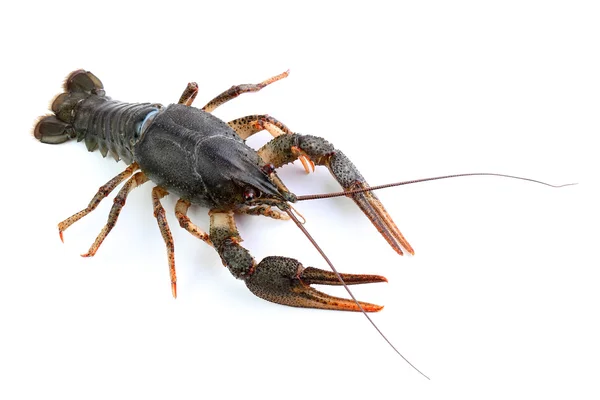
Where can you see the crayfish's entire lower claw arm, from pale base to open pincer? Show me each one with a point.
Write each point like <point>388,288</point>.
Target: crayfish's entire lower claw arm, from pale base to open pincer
<point>281,280</point>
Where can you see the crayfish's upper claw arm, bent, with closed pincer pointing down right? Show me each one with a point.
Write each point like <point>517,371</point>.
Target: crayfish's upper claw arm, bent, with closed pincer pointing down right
<point>287,148</point>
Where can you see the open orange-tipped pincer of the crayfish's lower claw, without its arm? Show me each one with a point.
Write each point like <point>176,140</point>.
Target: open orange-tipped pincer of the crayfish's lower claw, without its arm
<point>285,281</point>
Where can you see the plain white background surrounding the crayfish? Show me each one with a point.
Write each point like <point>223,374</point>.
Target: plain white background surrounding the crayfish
<point>500,300</point>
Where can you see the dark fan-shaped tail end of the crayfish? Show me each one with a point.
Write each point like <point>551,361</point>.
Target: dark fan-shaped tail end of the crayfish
<point>57,128</point>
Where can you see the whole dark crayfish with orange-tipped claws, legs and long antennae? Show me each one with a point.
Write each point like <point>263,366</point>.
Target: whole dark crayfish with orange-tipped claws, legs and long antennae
<point>191,153</point>
